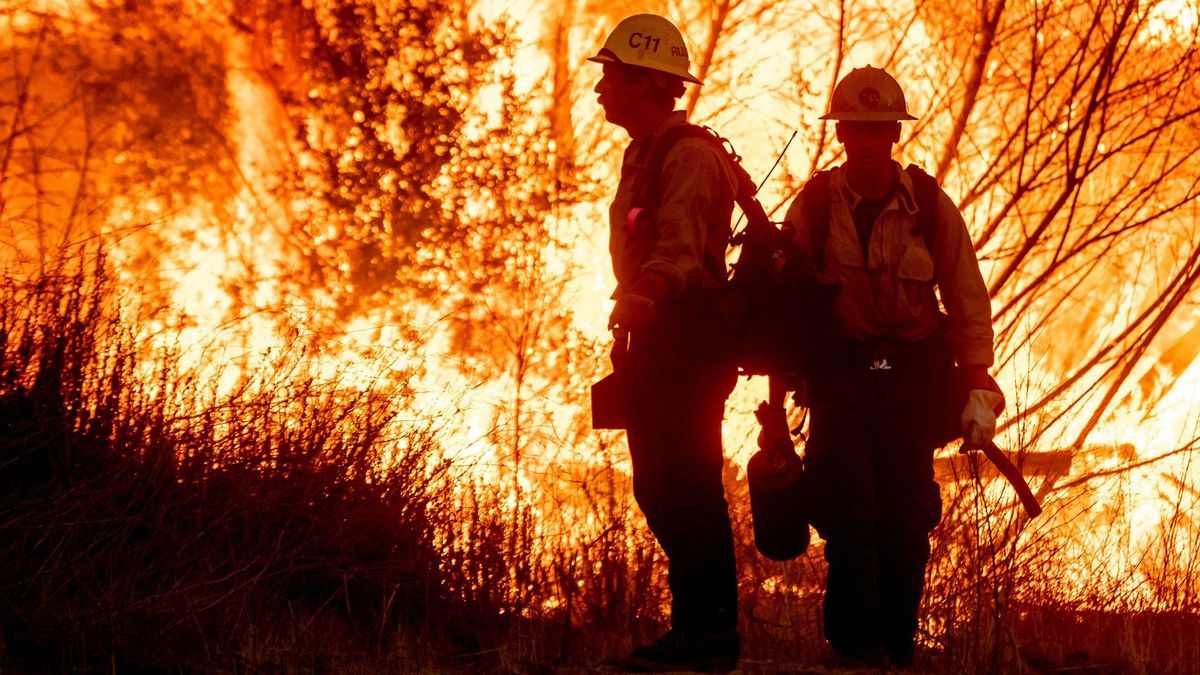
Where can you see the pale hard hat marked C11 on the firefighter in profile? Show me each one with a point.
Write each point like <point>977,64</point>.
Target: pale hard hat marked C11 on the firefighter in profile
<point>647,41</point>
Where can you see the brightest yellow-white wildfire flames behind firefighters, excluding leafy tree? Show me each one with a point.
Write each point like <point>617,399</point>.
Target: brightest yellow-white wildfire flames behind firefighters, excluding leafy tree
<point>763,91</point>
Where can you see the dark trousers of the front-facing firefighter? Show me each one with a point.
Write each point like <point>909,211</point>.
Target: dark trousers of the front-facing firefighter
<point>875,414</point>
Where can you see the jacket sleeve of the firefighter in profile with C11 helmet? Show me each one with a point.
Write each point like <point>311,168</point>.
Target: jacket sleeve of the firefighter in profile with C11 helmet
<point>694,178</point>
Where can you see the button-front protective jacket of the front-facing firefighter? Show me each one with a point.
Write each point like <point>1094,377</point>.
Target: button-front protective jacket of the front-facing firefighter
<point>891,294</point>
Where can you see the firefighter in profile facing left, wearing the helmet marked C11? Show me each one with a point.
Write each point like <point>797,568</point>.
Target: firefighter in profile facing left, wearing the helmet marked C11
<point>668,255</point>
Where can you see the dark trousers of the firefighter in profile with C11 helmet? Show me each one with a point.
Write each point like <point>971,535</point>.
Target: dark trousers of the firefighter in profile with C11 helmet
<point>675,443</point>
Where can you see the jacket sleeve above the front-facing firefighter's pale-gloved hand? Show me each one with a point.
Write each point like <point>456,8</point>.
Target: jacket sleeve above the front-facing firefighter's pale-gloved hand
<point>962,286</point>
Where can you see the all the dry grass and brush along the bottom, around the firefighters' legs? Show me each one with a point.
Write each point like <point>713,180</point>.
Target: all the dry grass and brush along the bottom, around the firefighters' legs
<point>151,524</point>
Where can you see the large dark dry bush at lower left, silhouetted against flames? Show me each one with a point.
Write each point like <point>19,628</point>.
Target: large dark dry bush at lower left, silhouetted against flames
<point>147,523</point>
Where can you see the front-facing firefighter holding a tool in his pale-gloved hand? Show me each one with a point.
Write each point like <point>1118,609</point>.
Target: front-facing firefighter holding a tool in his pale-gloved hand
<point>879,397</point>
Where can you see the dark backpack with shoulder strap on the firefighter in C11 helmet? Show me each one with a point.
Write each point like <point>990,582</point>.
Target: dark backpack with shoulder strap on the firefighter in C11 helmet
<point>760,304</point>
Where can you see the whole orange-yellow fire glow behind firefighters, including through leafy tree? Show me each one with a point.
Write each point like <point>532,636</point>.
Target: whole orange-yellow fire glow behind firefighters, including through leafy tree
<point>218,282</point>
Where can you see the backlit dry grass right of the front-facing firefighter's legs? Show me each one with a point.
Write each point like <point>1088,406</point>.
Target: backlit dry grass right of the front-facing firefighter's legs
<point>1009,595</point>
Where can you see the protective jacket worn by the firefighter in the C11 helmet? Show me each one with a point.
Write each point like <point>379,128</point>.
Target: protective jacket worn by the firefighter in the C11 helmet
<point>685,244</point>
